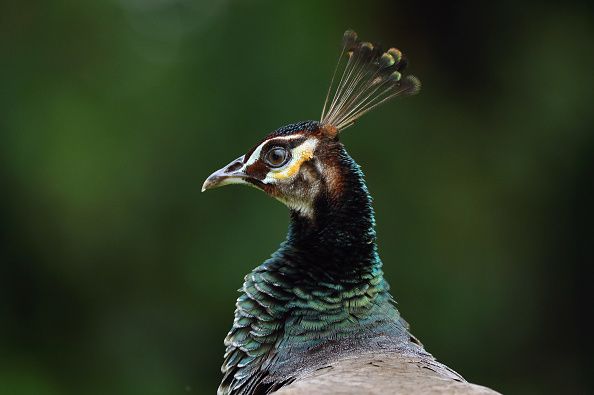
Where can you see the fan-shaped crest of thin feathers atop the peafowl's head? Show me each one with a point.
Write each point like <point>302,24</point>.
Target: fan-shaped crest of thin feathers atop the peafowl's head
<point>369,77</point>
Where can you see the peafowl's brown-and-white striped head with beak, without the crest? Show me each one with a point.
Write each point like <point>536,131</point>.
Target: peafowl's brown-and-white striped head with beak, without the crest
<point>294,164</point>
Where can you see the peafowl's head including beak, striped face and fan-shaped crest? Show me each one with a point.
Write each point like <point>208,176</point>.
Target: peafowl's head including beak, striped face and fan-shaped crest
<point>299,163</point>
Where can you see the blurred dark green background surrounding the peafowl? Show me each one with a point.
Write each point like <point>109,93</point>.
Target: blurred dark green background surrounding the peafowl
<point>118,276</point>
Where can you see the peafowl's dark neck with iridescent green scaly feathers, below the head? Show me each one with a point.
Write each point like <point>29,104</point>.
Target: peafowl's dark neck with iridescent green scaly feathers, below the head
<point>321,294</point>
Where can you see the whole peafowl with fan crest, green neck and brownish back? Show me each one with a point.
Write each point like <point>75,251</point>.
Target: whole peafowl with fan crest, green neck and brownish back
<point>318,316</point>
